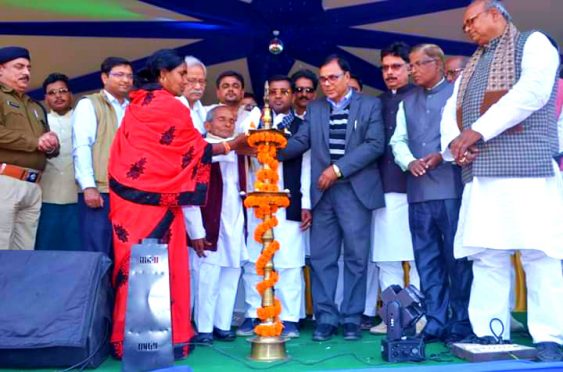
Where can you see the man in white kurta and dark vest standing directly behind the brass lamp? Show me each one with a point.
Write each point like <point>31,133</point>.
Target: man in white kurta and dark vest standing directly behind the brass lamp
<point>291,234</point>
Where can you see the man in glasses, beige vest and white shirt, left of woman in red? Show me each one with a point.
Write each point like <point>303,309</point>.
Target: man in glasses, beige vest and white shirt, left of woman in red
<point>94,123</point>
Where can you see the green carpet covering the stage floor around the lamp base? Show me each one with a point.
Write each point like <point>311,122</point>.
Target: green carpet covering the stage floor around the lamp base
<point>306,354</point>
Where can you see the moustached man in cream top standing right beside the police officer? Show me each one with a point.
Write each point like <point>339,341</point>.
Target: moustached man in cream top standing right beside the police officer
<point>58,224</point>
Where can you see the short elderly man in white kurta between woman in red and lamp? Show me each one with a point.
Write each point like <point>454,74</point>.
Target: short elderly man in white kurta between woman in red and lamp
<point>218,272</point>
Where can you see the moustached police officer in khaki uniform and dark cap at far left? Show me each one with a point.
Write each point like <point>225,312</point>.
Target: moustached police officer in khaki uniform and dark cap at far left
<point>25,143</point>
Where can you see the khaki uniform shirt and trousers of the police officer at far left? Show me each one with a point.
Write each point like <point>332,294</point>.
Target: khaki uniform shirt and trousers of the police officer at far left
<point>22,122</point>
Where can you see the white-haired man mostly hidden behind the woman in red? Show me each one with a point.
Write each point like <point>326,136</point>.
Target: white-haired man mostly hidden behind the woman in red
<point>195,88</point>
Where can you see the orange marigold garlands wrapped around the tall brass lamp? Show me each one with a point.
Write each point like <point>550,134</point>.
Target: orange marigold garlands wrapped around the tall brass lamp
<point>265,205</point>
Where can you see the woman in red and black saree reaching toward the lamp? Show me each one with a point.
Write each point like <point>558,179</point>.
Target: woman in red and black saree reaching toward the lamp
<point>158,163</point>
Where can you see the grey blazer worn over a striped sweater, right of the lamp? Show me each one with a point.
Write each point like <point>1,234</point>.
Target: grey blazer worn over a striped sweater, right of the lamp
<point>365,142</point>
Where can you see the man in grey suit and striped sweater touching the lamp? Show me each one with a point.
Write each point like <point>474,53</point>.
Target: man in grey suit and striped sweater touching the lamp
<point>345,134</point>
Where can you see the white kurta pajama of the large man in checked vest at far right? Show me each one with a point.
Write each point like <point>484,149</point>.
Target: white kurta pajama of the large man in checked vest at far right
<point>500,215</point>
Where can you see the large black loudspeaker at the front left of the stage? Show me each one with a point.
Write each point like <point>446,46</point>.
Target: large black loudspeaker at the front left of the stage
<point>55,309</point>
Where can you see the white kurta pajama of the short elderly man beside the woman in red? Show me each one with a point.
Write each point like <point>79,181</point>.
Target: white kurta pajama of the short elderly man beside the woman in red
<point>216,276</point>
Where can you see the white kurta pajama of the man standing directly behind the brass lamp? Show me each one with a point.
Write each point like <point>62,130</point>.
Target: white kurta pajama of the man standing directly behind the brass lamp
<point>290,259</point>
